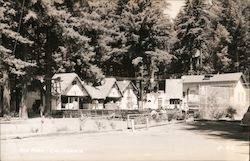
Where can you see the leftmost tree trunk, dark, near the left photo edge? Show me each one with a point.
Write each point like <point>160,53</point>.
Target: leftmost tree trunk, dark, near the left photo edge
<point>6,93</point>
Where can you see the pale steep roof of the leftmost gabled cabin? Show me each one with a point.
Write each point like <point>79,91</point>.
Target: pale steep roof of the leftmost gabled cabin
<point>66,79</point>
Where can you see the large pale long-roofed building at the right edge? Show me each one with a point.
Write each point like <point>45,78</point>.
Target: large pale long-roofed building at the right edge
<point>227,89</point>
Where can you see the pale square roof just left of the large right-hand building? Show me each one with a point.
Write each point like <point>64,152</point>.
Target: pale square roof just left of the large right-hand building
<point>174,88</point>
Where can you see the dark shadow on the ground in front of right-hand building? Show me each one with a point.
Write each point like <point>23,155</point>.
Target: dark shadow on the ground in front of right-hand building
<point>222,129</point>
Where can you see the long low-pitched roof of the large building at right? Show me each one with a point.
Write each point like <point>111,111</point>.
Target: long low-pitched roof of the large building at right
<point>228,77</point>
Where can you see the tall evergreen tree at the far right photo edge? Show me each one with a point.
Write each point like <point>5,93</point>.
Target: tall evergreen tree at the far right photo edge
<point>235,18</point>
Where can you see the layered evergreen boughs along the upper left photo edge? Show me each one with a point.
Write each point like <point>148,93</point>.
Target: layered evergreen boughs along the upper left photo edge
<point>8,25</point>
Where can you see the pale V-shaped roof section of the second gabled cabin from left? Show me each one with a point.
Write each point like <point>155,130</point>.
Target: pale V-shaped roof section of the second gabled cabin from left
<point>102,91</point>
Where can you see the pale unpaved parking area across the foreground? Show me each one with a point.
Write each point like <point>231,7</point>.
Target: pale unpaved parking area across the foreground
<point>170,142</point>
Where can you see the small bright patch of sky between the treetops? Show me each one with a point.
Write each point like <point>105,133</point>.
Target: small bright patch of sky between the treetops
<point>174,8</point>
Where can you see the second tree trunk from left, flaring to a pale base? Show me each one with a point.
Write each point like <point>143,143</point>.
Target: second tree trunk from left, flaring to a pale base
<point>23,113</point>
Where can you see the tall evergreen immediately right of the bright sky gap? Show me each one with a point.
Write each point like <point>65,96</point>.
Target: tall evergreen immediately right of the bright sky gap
<point>194,28</point>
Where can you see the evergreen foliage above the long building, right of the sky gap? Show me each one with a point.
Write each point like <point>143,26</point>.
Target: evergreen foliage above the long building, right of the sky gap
<point>212,39</point>
